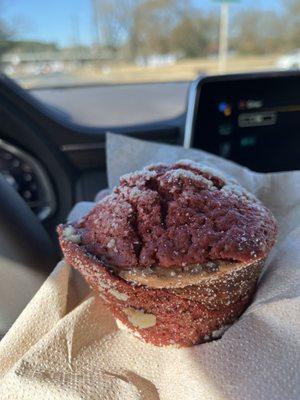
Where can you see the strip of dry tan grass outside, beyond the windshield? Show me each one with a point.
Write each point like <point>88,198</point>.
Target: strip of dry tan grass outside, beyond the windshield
<point>118,73</point>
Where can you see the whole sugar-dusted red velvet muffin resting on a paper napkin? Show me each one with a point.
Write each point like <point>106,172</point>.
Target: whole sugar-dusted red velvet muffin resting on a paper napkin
<point>175,251</point>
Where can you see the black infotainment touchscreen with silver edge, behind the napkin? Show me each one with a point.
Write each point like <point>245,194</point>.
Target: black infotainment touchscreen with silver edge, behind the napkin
<point>251,119</point>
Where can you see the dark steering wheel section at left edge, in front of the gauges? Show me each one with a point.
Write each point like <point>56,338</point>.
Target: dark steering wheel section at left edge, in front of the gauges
<point>27,254</point>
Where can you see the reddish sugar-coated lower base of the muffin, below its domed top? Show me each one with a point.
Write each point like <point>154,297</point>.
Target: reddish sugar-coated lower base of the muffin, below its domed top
<point>166,316</point>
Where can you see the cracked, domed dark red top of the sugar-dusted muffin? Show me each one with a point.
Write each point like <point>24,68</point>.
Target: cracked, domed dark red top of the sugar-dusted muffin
<point>177,215</point>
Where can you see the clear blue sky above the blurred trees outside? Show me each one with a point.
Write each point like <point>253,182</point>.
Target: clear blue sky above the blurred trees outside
<point>56,20</point>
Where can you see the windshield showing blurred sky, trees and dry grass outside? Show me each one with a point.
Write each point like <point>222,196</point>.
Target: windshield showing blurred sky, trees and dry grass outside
<point>78,42</point>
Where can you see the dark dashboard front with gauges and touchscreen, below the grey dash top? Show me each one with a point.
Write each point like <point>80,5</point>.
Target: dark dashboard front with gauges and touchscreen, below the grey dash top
<point>54,163</point>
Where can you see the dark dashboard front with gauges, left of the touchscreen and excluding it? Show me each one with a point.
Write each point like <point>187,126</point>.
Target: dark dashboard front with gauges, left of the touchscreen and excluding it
<point>54,163</point>
